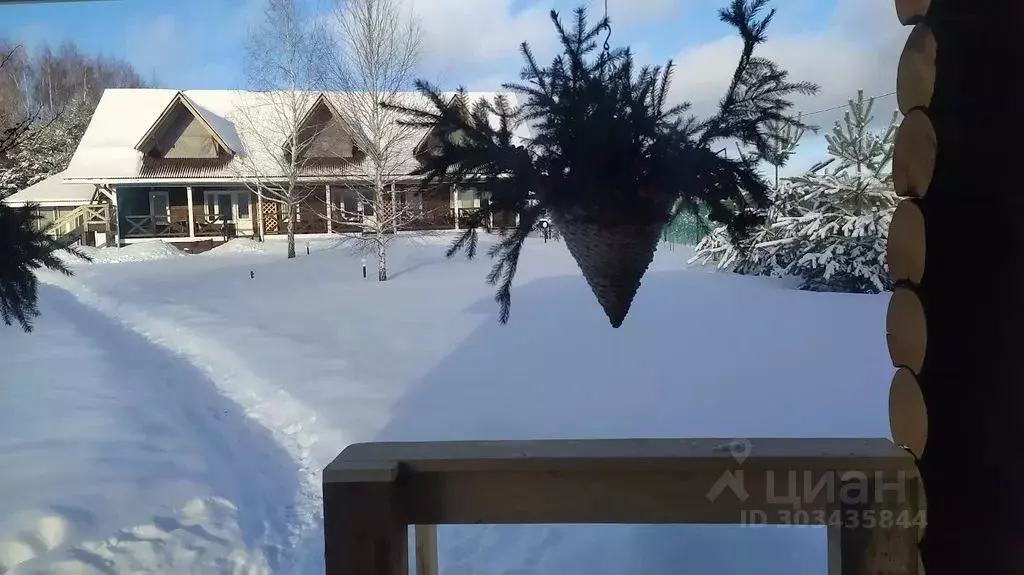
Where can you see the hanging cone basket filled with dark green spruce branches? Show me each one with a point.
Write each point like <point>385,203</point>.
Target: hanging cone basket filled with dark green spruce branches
<point>611,159</point>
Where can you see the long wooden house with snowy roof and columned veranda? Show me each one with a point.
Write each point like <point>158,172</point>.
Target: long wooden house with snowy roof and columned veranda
<point>184,166</point>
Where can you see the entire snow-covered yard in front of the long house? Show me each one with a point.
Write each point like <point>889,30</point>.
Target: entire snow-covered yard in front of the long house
<point>172,414</point>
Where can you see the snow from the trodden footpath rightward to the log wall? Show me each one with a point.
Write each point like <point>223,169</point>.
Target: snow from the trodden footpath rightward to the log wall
<point>322,359</point>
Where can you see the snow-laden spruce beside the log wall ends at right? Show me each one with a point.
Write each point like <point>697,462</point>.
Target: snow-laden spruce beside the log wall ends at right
<point>829,227</point>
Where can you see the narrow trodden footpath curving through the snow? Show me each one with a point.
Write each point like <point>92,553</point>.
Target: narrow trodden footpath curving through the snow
<point>289,422</point>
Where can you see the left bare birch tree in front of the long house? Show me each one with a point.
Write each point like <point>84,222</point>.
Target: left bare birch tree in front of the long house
<point>284,66</point>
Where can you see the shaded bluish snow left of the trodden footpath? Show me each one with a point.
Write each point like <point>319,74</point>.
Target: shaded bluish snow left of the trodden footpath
<point>126,460</point>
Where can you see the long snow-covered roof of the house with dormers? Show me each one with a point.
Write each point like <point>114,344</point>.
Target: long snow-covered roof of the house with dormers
<point>124,118</point>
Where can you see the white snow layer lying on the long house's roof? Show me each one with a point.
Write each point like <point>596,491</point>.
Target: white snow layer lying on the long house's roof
<point>251,123</point>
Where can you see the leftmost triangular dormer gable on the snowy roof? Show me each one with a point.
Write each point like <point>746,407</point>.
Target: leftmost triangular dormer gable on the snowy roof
<point>182,134</point>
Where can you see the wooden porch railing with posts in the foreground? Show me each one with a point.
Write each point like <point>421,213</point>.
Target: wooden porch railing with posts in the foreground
<point>867,492</point>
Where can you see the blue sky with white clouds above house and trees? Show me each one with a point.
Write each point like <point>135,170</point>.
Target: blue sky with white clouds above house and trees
<point>841,45</point>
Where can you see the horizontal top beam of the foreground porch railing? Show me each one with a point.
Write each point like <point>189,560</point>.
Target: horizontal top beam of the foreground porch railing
<point>617,481</point>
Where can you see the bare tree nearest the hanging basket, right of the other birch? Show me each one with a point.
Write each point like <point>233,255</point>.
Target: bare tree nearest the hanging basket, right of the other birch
<point>377,52</point>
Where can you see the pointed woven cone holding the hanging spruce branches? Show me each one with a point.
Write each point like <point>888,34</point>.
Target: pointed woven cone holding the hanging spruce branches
<point>613,259</point>
